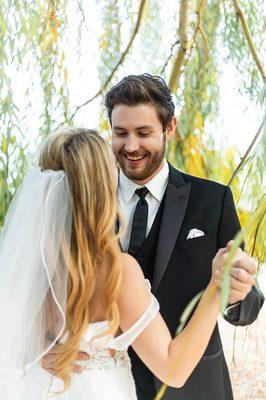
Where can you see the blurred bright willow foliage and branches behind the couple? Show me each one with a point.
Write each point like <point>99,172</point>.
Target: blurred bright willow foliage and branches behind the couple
<point>58,58</point>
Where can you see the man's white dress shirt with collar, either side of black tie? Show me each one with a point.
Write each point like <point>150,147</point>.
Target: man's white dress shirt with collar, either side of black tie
<point>128,200</point>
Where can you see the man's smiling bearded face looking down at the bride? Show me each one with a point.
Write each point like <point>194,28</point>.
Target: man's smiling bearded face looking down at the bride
<point>138,141</point>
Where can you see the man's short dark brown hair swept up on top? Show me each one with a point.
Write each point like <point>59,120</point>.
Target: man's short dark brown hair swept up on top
<point>137,89</point>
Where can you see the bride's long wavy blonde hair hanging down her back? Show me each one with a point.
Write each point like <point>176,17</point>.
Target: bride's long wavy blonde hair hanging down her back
<point>95,254</point>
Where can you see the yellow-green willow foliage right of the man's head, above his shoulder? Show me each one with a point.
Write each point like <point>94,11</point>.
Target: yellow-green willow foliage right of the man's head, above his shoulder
<point>192,149</point>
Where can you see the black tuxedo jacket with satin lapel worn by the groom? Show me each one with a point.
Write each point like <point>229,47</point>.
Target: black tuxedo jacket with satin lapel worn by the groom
<point>182,268</point>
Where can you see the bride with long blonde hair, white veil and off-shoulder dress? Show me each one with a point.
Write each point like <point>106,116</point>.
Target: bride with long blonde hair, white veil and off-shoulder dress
<point>63,279</point>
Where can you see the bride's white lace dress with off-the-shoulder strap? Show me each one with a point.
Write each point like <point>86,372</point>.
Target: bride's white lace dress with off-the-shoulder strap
<point>105,377</point>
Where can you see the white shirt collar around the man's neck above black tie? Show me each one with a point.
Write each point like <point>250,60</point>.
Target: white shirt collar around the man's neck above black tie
<point>156,185</point>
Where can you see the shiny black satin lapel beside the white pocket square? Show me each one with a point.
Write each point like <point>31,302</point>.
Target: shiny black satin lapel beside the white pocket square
<point>176,199</point>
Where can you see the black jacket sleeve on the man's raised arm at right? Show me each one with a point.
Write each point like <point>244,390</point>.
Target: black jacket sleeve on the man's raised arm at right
<point>246,311</point>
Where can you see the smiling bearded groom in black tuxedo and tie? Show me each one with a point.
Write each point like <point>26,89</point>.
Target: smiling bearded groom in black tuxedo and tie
<point>174,226</point>
